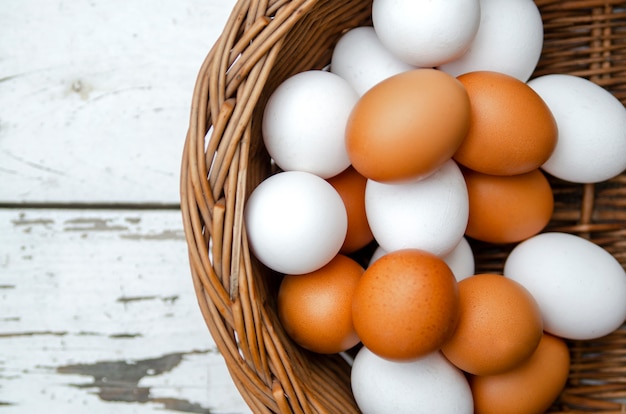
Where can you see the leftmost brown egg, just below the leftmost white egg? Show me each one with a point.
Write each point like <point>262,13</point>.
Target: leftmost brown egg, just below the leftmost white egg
<point>316,308</point>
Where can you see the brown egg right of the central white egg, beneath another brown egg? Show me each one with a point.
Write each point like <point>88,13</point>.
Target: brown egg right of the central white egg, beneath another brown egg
<point>507,209</point>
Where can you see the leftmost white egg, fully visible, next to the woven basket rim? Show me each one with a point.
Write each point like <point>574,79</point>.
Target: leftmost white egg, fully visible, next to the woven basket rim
<point>296,222</point>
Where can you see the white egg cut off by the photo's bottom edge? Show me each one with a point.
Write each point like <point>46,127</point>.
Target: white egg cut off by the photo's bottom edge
<point>427,385</point>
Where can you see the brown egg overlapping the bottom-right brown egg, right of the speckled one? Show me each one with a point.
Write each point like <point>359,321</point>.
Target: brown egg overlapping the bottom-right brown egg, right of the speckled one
<point>499,325</point>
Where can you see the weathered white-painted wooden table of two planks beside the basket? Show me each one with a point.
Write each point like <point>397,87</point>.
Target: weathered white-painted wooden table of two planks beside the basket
<point>97,310</point>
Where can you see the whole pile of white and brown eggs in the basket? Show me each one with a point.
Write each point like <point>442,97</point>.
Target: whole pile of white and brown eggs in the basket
<point>426,131</point>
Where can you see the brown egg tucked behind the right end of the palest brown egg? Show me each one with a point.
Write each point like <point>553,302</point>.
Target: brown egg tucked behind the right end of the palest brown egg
<point>512,130</point>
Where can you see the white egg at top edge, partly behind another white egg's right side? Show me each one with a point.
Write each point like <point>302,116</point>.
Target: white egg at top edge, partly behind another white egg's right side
<point>509,40</point>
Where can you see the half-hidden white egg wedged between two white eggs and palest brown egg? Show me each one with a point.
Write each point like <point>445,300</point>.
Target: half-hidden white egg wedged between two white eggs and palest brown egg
<point>361,59</point>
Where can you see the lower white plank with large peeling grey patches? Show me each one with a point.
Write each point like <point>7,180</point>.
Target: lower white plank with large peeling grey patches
<point>98,315</point>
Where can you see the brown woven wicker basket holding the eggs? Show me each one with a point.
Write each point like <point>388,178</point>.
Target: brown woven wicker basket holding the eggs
<point>262,44</point>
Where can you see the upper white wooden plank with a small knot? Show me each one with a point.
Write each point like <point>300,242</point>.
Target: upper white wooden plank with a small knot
<point>95,96</point>
